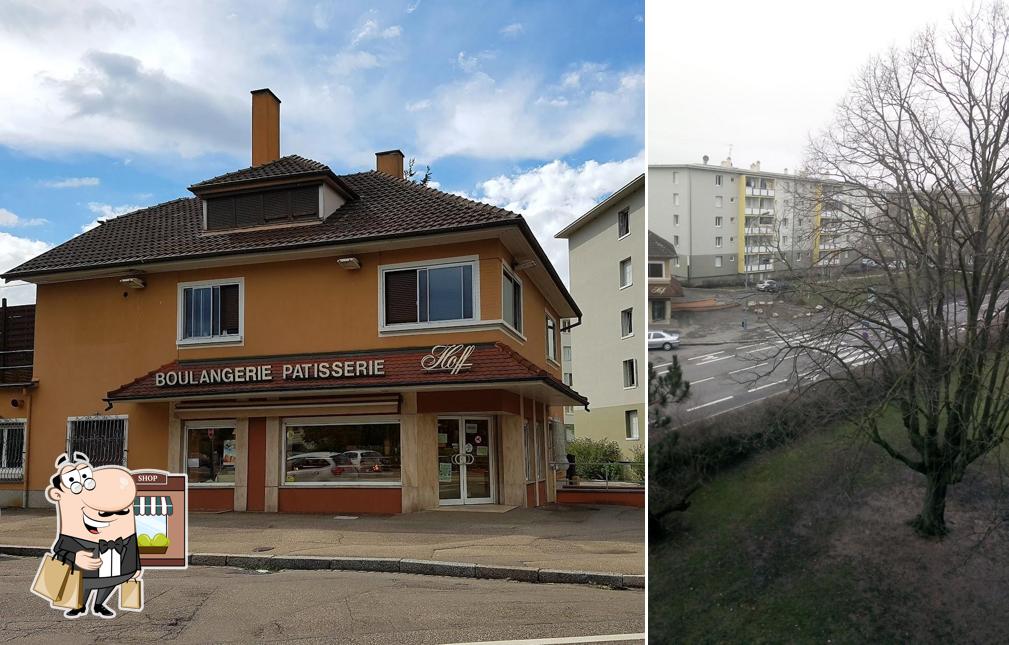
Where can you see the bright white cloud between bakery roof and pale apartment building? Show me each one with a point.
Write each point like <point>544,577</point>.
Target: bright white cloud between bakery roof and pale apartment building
<point>555,194</point>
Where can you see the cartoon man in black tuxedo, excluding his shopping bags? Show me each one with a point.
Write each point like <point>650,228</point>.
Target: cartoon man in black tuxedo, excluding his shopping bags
<point>97,529</point>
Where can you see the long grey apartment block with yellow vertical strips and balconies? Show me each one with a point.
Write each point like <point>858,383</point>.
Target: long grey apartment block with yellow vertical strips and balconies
<point>732,226</point>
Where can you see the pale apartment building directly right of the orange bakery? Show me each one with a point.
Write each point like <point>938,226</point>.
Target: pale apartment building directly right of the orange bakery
<point>608,265</point>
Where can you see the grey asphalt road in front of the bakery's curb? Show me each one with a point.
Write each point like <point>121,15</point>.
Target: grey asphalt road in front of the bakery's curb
<point>203,605</point>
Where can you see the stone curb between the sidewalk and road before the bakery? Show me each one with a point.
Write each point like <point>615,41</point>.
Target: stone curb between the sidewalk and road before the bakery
<point>392,566</point>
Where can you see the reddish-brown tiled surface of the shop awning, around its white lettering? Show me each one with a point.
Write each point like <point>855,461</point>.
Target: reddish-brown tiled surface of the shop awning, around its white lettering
<point>492,363</point>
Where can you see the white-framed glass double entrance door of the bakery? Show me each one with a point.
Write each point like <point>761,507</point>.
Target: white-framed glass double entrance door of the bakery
<point>466,462</point>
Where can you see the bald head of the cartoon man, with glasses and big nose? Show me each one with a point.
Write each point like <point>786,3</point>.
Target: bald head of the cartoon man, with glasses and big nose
<point>92,503</point>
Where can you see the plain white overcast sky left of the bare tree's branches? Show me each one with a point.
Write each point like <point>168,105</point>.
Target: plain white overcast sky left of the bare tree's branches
<point>761,77</point>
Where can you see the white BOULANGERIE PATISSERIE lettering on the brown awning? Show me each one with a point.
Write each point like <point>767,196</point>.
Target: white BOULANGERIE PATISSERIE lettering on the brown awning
<point>266,374</point>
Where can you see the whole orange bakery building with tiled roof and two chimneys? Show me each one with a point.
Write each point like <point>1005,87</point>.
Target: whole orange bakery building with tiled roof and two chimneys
<point>301,342</point>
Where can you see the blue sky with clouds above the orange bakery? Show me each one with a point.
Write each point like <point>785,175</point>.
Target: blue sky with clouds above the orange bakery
<point>536,106</point>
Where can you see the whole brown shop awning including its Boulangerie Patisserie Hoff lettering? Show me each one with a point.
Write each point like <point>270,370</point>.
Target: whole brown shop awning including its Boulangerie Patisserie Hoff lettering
<point>453,367</point>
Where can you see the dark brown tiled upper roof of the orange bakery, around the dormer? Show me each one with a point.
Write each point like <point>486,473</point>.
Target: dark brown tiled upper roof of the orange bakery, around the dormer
<point>383,207</point>
